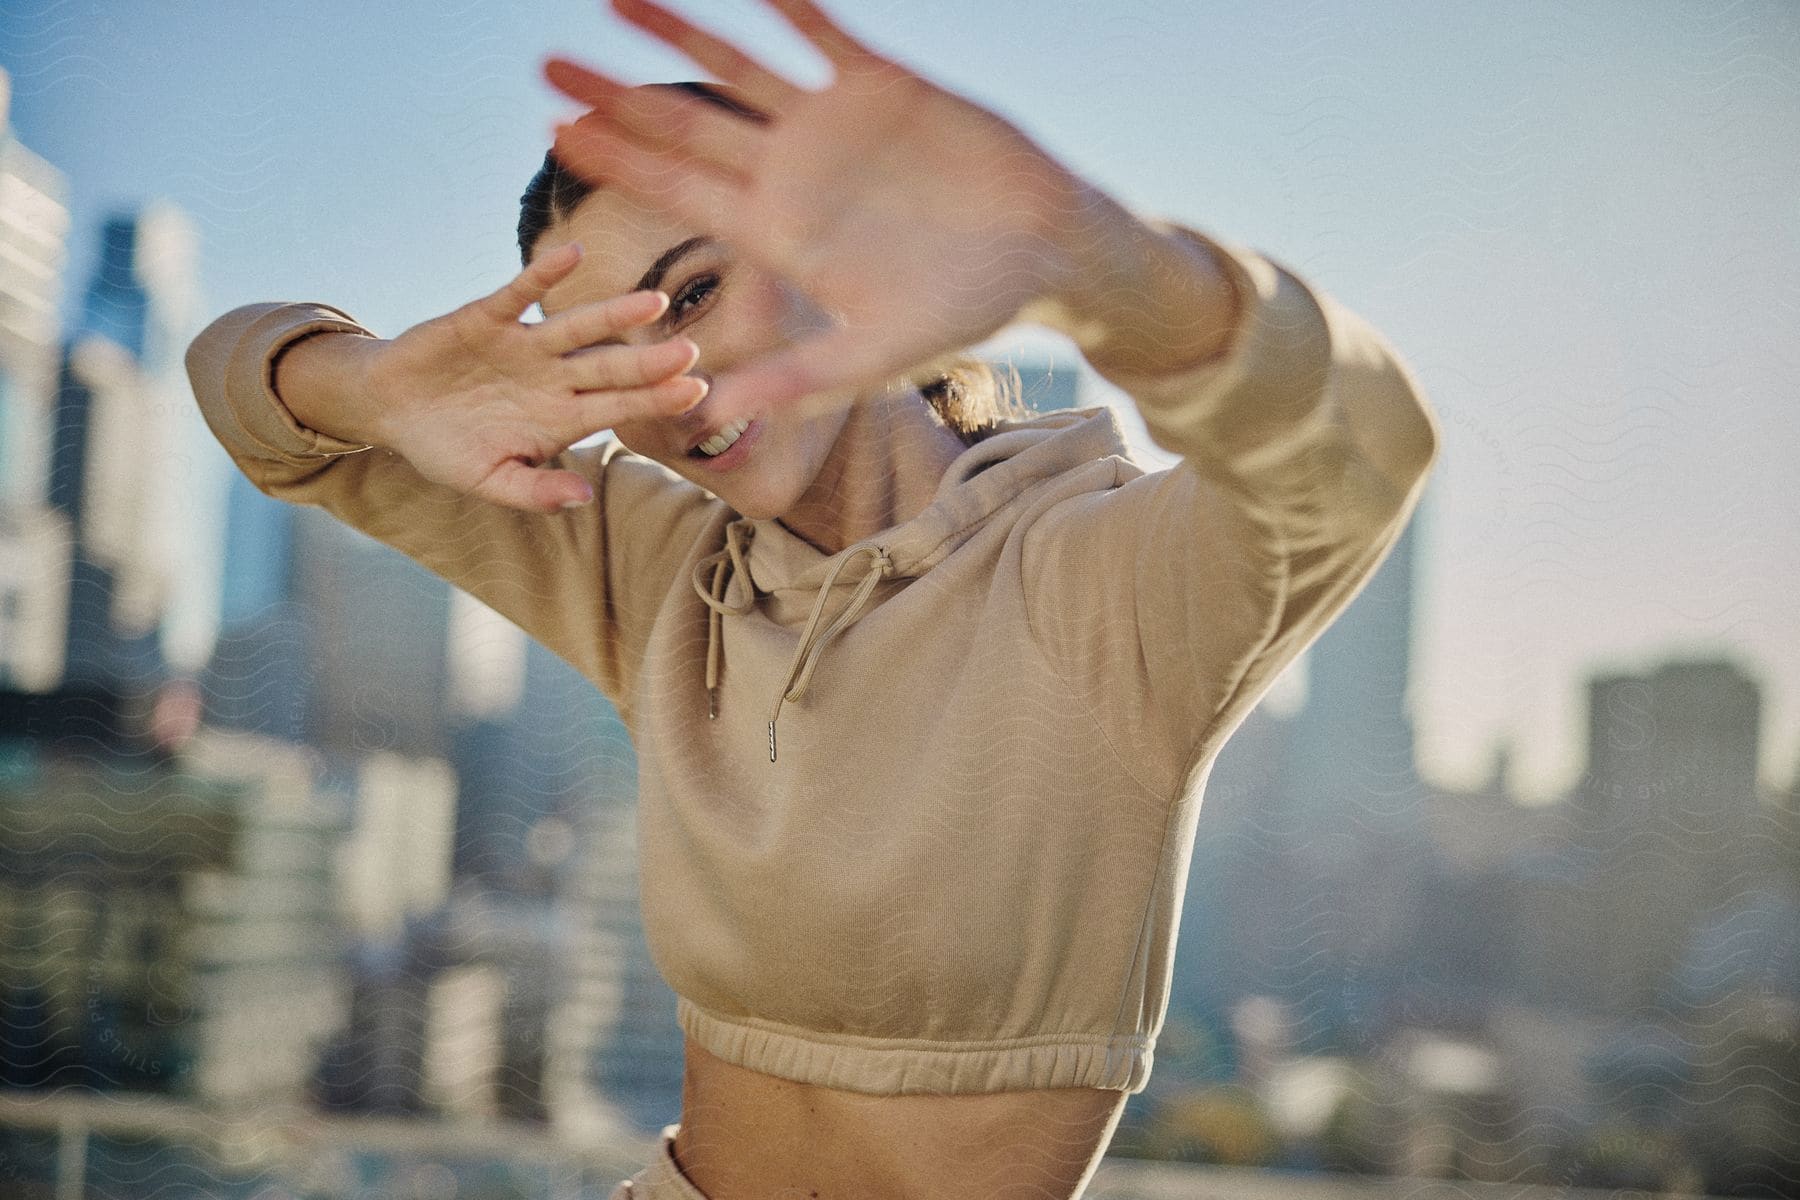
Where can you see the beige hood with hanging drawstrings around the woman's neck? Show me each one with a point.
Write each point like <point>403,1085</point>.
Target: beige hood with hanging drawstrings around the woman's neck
<point>764,557</point>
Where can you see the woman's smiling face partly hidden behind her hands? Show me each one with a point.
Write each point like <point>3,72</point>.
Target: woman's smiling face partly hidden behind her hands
<point>733,312</point>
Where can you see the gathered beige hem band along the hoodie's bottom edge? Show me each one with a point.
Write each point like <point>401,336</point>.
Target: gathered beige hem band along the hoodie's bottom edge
<point>899,1066</point>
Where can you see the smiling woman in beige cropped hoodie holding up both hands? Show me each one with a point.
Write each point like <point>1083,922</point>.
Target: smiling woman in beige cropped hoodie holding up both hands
<point>924,695</point>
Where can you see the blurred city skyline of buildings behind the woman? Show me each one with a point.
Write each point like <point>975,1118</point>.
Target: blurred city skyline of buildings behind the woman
<point>370,855</point>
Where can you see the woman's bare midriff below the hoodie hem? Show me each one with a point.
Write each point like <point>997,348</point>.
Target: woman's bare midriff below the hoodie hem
<point>748,1136</point>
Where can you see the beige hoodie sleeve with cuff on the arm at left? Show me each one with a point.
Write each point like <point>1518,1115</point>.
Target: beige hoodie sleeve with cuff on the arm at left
<point>586,582</point>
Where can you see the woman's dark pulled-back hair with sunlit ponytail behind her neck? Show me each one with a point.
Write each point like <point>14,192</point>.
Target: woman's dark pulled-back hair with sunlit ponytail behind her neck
<point>969,397</point>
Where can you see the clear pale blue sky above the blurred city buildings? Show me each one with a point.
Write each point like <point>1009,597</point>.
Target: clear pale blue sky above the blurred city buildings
<point>1579,222</point>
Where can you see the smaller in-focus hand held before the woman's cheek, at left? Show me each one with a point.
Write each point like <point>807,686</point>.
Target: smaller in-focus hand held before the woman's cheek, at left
<point>478,400</point>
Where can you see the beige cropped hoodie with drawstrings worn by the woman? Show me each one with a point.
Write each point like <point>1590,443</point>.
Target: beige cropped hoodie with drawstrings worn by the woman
<point>917,818</point>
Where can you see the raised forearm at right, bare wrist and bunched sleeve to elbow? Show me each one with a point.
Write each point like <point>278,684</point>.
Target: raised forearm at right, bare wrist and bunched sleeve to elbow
<point>1230,357</point>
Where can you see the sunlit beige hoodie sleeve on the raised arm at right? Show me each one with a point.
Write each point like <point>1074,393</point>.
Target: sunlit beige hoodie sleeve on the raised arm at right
<point>1174,600</point>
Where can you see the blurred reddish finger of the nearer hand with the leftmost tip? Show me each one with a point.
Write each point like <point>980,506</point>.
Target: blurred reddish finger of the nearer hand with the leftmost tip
<point>665,118</point>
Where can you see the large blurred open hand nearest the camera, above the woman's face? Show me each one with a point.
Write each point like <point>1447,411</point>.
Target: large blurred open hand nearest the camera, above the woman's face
<point>921,222</point>
